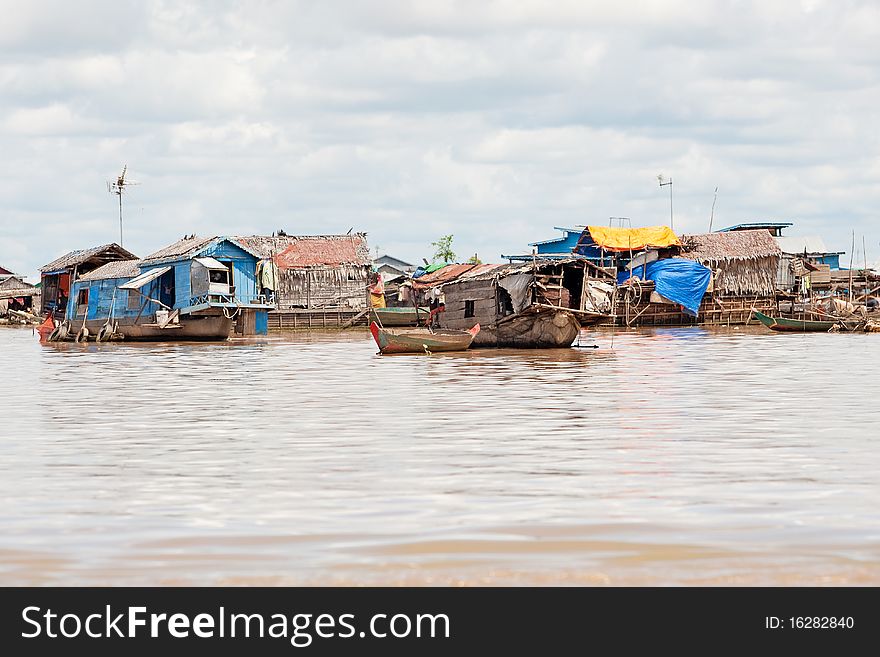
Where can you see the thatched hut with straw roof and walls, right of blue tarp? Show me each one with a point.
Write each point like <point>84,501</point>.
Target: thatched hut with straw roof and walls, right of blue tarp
<point>744,263</point>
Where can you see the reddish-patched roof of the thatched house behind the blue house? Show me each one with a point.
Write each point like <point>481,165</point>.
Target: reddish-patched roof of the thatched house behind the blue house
<point>297,251</point>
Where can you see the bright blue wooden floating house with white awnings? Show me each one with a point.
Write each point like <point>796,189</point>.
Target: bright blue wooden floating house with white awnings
<point>194,289</point>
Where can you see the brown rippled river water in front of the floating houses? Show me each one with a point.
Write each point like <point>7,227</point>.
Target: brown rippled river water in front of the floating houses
<point>665,457</point>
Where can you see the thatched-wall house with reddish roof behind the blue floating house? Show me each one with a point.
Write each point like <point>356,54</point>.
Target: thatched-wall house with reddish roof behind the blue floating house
<point>317,272</point>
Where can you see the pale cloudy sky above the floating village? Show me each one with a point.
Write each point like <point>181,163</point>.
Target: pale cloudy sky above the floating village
<point>492,121</point>
